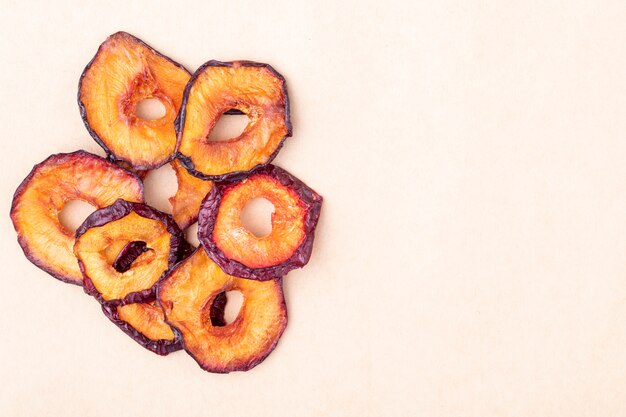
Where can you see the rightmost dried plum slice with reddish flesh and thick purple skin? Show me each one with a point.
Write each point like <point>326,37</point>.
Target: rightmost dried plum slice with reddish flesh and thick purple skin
<point>237,250</point>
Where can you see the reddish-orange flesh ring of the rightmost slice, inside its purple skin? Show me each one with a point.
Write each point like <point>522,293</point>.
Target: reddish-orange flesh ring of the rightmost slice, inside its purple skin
<point>238,243</point>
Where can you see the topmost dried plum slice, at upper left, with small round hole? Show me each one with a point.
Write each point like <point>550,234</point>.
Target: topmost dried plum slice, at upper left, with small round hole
<point>124,72</point>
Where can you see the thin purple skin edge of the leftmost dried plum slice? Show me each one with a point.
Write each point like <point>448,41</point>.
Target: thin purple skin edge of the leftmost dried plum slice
<point>43,264</point>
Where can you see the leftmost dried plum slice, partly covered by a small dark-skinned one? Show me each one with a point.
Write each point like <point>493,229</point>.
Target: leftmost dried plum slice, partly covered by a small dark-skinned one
<point>42,195</point>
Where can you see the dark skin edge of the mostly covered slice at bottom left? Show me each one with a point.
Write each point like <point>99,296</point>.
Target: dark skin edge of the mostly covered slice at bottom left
<point>160,347</point>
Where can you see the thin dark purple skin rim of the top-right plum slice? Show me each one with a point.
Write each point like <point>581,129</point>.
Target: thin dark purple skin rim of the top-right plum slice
<point>179,122</point>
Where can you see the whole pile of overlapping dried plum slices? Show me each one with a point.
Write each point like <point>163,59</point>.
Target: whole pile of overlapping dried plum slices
<point>134,259</point>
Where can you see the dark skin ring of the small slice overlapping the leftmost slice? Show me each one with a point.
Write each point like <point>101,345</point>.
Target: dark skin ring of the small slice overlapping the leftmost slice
<point>179,247</point>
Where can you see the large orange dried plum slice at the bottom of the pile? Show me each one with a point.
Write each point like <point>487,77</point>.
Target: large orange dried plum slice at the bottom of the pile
<point>188,293</point>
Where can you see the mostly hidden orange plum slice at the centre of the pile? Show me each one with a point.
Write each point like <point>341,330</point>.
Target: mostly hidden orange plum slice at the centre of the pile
<point>189,195</point>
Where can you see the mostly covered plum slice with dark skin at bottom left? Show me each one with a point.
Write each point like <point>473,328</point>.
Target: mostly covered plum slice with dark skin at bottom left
<point>144,321</point>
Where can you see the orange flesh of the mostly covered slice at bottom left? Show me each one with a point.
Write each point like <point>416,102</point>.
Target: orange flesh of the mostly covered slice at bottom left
<point>146,318</point>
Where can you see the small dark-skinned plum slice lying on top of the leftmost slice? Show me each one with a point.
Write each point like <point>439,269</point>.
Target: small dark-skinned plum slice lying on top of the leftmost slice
<point>125,248</point>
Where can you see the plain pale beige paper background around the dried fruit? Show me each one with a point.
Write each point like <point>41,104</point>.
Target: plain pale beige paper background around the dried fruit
<point>470,258</point>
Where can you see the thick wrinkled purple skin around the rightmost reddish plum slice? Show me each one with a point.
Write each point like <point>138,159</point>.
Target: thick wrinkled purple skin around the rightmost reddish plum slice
<point>208,214</point>
